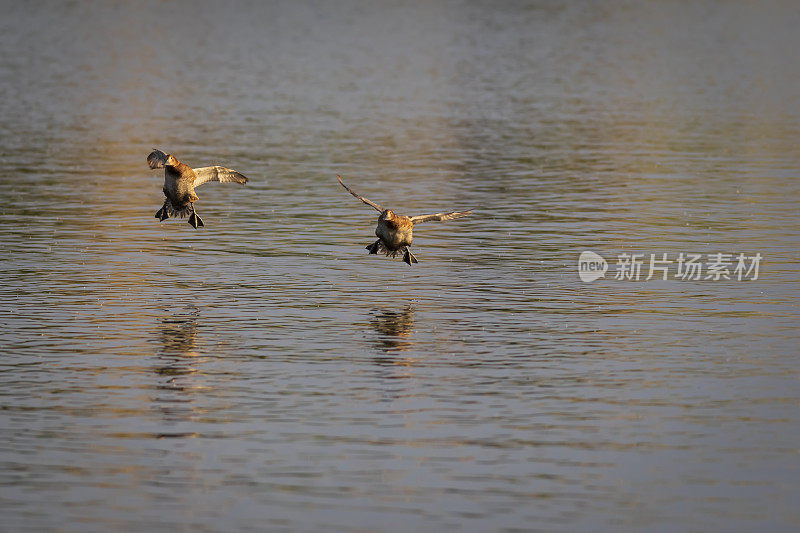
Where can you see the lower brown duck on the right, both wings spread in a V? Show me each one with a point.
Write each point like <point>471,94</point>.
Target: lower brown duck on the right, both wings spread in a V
<point>395,232</point>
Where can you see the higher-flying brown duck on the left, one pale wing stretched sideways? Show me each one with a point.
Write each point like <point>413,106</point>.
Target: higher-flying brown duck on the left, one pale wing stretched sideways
<point>180,180</point>
